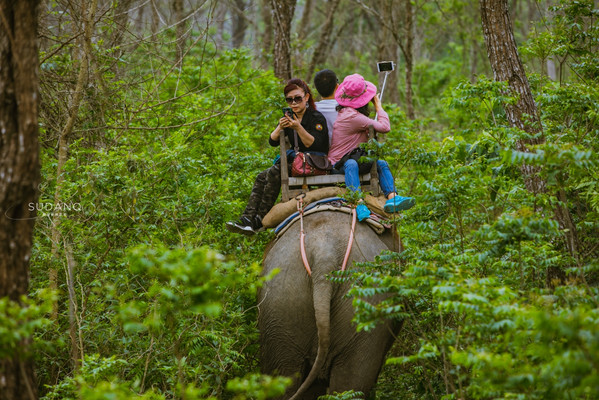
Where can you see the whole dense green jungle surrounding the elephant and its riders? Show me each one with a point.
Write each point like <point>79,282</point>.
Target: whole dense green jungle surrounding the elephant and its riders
<point>153,121</point>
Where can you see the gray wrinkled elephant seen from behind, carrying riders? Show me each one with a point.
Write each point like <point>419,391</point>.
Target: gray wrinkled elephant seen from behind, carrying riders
<point>306,320</point>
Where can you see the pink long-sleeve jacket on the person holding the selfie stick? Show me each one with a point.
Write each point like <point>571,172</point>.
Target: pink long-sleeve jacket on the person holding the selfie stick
<point>351,129</point>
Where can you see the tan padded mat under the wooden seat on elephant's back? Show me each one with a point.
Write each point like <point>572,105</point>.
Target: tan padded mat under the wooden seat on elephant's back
<point>280,212</point>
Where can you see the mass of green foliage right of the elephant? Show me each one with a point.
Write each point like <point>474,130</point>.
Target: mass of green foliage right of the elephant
<point>494,302</point>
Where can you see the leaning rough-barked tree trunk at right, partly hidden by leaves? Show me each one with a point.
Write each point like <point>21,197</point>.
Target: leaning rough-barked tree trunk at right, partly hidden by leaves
<point>507,67</point>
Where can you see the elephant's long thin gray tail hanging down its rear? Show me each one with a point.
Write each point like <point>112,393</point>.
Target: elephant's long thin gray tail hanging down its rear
<point>322,294</point>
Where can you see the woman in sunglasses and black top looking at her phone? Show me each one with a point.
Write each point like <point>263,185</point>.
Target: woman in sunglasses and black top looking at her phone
<point>312,135</point>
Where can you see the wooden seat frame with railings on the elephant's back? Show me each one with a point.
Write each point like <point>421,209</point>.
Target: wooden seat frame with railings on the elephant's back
<point>292,186</point>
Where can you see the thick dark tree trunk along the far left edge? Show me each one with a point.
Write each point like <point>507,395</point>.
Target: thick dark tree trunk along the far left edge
<point>19,173</point>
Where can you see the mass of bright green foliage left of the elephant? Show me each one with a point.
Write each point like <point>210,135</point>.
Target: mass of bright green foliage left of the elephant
<point>153,287</point>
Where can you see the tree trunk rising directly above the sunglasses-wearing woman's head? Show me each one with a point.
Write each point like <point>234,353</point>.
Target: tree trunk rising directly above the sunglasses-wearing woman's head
<point>282,11</point>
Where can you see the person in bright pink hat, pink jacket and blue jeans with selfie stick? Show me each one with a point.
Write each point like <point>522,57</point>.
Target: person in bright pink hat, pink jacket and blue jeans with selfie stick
<point>350,130</point>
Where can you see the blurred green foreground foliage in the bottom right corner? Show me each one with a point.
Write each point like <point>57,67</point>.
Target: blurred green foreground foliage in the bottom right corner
<point>542,353</point>
